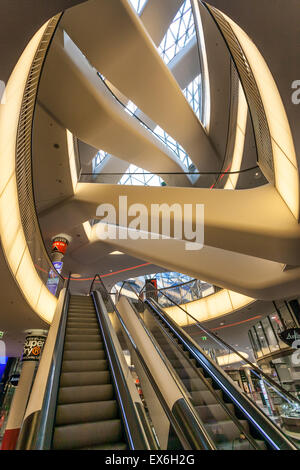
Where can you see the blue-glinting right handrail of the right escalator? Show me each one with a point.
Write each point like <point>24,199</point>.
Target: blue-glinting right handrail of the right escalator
<point>263,424</point>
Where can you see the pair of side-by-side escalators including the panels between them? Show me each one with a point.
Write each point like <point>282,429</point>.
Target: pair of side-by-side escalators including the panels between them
<point>86,398</point>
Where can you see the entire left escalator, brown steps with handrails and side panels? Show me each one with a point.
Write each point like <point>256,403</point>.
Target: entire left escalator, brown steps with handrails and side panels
<point>83,398</point>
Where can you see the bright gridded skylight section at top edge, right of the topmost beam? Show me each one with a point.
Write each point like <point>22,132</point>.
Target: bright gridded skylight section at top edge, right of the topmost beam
<point>180,31</point>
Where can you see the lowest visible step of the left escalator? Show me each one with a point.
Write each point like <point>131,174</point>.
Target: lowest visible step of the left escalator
<point>77,436</point>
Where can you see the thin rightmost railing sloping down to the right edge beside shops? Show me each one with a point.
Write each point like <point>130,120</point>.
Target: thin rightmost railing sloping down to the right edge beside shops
<point>268,379</point>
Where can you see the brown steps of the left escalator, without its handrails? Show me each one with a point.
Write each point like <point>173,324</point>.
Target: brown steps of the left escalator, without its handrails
<point>87,415</point>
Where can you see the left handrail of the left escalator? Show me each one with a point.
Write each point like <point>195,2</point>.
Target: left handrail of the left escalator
<point>45,426</point>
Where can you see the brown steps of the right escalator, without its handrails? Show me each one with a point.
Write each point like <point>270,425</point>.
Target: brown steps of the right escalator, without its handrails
<point>224,428</point>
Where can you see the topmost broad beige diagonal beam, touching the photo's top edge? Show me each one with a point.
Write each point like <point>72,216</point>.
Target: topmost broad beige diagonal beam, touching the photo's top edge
<point>106,29</point>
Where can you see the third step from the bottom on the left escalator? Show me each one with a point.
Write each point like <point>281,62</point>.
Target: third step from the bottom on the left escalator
<point>85,393</point>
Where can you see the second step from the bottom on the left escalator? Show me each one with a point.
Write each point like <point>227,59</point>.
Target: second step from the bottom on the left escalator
<point>86,412</point>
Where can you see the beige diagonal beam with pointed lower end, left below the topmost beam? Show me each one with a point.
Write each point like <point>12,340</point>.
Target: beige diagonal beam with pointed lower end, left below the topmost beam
<point>72,91</point>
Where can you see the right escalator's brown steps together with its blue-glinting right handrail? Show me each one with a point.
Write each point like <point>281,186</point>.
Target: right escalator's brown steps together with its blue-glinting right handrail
<point>229,416</point>
